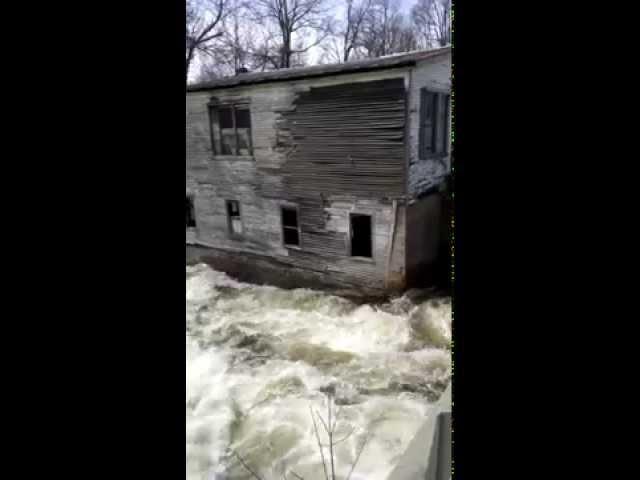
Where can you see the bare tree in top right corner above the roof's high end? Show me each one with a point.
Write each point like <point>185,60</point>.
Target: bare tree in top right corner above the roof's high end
<point>432,19</point>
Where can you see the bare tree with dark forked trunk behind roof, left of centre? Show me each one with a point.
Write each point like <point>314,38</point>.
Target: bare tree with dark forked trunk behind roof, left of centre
<point>295,20</point>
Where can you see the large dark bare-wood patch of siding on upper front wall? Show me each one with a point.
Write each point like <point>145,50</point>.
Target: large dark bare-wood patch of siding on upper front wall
<point>348,139</point>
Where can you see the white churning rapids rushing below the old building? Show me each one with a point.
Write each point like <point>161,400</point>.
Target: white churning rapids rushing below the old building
<point>258,357</point>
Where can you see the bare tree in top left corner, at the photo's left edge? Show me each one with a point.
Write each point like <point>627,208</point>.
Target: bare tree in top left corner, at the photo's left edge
<point>204,17</point>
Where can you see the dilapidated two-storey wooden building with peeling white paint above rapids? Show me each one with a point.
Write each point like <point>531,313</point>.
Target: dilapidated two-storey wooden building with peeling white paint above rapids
<point>329,175</point>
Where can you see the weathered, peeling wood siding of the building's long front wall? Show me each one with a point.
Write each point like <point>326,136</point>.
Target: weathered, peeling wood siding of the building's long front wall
<point>332,146</point>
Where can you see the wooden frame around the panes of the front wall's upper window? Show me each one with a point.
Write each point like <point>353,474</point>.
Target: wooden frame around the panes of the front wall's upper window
<point>213,107</point>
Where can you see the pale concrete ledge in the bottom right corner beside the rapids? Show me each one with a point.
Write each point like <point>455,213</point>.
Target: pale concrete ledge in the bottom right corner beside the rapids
<point>428,456</point>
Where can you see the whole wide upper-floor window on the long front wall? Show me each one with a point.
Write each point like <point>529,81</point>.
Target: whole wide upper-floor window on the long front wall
<point>230,128</point>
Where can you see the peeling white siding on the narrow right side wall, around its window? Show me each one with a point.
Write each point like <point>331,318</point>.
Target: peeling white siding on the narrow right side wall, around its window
<point>434,74</point>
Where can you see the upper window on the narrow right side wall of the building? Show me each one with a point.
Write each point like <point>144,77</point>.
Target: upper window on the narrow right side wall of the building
<point>434,124</point>
